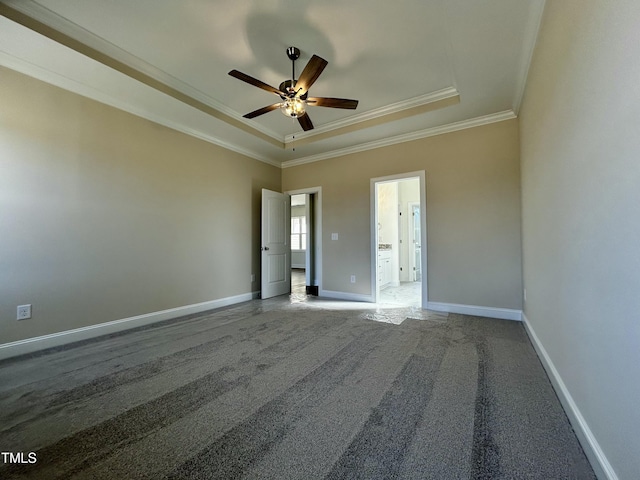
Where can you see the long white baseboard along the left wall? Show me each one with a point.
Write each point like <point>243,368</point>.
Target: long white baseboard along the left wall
<point>30,345</point>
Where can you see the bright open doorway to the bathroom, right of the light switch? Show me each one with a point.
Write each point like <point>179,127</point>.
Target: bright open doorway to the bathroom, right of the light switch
<point>398,240</point>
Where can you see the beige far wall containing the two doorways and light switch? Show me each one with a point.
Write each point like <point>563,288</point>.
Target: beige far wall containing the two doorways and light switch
<point>473,213</point>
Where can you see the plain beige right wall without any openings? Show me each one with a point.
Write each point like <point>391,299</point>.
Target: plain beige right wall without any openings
<point>580,143</point>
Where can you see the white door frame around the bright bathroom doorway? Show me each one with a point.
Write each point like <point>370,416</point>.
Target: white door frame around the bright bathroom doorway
<point>420,175</point>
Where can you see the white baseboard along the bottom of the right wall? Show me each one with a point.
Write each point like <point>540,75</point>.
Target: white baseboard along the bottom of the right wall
<point>590,445</point>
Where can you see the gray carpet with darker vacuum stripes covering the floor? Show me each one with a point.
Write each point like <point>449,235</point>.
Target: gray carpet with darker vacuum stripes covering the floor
<point>291,389</point>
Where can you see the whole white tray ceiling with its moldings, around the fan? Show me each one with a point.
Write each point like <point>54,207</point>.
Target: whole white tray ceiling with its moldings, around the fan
<point>417,67</point>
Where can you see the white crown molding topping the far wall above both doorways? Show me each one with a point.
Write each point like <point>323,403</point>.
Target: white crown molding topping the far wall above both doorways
<point>408,137</point>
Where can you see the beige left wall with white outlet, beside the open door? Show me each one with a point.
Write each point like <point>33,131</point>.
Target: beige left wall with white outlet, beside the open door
<point>105,215</point>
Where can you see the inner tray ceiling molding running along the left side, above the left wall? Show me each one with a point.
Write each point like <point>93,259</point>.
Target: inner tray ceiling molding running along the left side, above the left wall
<point>112,56</point>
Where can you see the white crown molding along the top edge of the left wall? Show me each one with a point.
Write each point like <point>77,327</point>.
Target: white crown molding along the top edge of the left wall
<point>52,78</point>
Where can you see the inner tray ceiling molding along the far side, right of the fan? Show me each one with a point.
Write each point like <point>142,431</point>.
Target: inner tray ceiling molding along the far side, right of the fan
<point>393,108</point>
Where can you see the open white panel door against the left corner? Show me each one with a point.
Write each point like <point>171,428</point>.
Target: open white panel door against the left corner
<point>276,250</point>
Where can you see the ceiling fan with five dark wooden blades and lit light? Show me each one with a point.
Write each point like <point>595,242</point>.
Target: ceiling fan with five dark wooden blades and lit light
<point>294,94</point>
